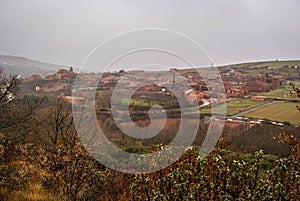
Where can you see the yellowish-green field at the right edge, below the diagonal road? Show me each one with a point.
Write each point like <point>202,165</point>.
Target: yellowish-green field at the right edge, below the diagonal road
<point>281,111</point>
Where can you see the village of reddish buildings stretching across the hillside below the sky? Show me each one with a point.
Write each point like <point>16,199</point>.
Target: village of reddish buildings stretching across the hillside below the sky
<point>236,85</point>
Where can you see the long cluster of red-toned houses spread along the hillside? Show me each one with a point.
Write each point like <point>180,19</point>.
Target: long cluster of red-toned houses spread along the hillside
<point>236,85</point>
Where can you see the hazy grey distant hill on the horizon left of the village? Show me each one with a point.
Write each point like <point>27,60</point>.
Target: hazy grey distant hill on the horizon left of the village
<point>25,67</point>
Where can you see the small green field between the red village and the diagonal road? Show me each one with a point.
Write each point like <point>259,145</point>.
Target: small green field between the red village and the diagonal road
<point>233,106</point>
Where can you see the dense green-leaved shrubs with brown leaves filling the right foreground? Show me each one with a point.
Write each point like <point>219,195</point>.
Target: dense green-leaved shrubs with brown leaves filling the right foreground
<point>222,176</point>
